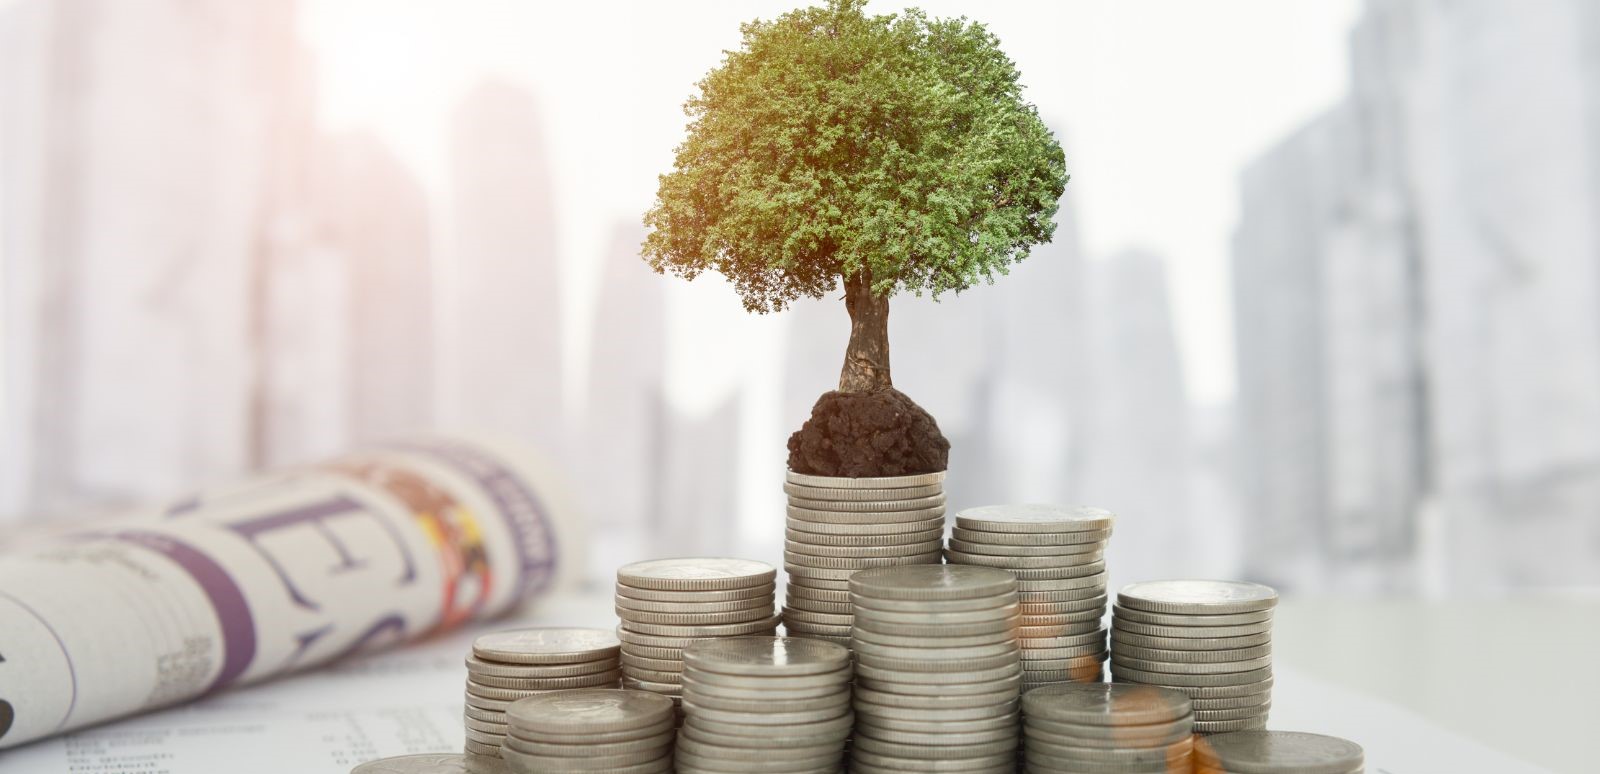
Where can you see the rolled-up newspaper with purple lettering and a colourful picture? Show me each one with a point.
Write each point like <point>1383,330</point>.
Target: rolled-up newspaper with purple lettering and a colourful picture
<point>271,577</point>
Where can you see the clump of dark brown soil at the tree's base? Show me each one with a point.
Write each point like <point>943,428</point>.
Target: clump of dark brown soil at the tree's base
<point>868,434</point>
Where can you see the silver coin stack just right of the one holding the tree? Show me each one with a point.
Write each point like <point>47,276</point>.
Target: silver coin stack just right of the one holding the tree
<point>1058,557</point>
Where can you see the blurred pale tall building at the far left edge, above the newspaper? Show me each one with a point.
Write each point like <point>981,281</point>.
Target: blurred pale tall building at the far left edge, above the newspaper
<point>130,225</point>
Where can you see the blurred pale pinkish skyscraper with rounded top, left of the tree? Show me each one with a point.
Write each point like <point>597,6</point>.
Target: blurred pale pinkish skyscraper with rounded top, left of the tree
<point>502,349</point>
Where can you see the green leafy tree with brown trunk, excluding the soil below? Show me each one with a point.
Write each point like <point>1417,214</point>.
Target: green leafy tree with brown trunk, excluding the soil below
<point>882,153</point>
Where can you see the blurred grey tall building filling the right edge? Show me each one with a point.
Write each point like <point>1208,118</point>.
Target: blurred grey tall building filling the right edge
<point>1444,263</point>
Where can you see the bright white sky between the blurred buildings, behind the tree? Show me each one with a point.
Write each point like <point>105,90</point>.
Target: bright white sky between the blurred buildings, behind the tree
<point>1162,103</point>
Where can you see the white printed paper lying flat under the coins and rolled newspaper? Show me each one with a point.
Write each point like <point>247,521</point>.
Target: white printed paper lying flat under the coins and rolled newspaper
<point>410,703</point>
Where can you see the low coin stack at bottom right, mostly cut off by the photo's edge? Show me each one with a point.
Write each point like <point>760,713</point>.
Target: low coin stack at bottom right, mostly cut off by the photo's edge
<point>1278,752</point>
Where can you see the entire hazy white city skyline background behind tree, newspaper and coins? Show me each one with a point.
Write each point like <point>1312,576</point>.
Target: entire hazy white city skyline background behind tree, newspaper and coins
<point>425,217</point>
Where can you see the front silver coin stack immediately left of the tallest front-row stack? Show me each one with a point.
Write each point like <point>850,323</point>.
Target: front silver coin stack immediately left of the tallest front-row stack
<point>772,704</point>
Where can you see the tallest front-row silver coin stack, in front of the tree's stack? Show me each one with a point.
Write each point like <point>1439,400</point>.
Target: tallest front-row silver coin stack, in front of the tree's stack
<point>938,669</point>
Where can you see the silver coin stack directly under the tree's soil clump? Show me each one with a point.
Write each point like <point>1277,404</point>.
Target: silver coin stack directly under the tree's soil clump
<point>842,525</point>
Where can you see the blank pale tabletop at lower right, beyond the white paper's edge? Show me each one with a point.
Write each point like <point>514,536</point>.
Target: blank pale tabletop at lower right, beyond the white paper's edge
<point>1521,676</point>
